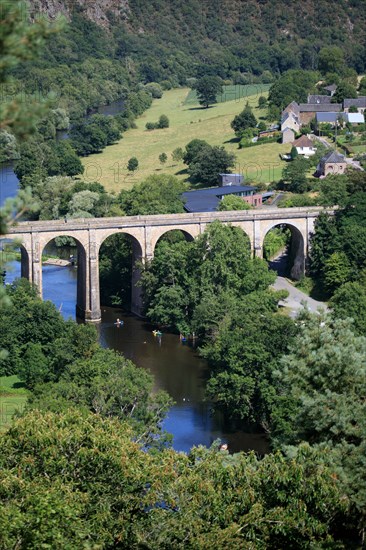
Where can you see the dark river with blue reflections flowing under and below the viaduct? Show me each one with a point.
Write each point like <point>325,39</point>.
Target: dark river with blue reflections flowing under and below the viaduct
<point>177,368</point>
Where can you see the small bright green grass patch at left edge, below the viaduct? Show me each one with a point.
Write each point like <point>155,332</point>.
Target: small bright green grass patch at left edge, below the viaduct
<point>13,397</point>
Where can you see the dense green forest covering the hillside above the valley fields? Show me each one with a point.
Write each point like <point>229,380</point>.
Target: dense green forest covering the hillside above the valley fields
<point>100,54</point>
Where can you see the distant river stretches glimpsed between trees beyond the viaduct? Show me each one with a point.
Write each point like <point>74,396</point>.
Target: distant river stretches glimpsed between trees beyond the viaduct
<point>8,179</point>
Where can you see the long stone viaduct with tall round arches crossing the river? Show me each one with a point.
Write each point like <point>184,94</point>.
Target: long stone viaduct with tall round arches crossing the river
<point>144,232</point>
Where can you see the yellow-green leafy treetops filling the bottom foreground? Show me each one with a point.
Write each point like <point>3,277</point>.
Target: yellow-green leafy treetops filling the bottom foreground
<point>74,480</point>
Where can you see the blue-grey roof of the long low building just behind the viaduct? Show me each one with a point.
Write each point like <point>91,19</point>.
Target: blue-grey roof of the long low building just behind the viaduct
<point>207,200</point>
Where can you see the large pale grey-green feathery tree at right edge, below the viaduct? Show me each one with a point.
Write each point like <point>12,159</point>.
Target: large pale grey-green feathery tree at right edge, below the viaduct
<point>324,376</point>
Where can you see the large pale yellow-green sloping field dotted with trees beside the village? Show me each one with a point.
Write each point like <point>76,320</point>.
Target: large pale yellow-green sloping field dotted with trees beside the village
<point>187,121</point>
